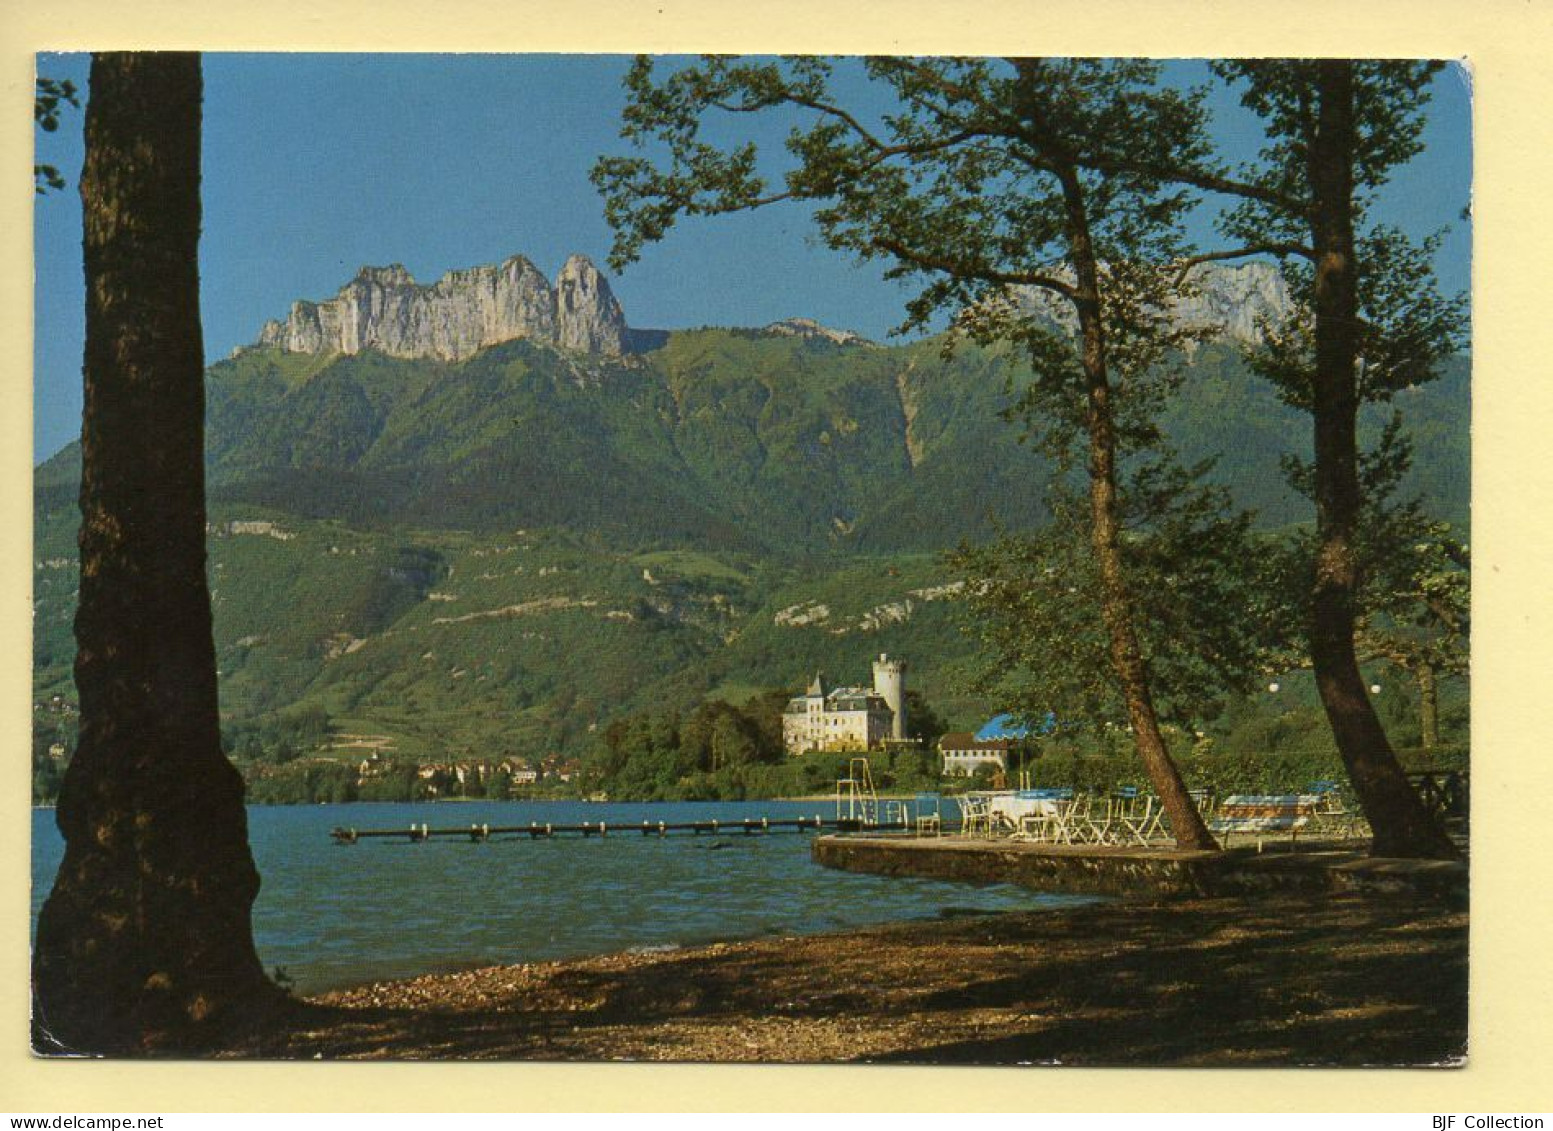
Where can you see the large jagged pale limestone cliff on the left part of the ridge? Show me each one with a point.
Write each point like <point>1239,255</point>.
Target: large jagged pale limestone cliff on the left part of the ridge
<point>465,311</point>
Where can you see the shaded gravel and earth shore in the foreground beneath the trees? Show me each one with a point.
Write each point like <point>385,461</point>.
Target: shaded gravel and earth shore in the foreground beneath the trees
<point>1280,980</point>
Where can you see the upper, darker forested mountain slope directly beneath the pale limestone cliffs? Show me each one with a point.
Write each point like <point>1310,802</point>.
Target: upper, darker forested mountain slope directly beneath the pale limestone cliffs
<point>728,440</point>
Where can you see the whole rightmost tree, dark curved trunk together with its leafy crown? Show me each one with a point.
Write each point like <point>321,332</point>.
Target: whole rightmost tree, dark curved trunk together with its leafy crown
<point>1369,322</point>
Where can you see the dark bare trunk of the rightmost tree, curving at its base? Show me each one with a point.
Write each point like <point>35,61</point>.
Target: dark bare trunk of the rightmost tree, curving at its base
<point>1398,818</point>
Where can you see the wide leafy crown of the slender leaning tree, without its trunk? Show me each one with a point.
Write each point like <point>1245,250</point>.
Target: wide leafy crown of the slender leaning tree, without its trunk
<point>953,187</point>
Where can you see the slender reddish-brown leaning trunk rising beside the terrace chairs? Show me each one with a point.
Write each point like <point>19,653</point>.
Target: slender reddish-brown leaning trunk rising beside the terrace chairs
<point>1127,655</point>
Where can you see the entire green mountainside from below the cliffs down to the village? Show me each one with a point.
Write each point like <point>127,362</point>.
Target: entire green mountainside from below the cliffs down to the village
<point>502,555</point>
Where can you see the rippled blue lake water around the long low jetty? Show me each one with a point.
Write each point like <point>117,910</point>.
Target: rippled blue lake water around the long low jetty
<point>335,916</point>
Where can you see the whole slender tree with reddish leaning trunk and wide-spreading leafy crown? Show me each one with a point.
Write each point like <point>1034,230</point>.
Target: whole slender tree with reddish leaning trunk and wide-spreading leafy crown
<point>1012,192</point>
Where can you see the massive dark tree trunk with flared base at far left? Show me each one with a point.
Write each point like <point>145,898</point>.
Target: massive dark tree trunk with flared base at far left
<point>145,942</point>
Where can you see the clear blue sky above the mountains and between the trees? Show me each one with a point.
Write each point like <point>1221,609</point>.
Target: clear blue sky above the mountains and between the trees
<point>316,165</point>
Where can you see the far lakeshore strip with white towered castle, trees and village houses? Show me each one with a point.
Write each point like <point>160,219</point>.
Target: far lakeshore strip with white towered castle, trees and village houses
<point>304,760</point>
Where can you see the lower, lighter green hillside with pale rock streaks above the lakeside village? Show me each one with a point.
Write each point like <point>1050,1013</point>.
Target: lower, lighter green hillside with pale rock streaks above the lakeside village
<point>518,642</point>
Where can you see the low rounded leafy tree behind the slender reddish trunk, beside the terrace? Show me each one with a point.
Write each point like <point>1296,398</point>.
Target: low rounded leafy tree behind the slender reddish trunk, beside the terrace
<point>1201,580</point>
